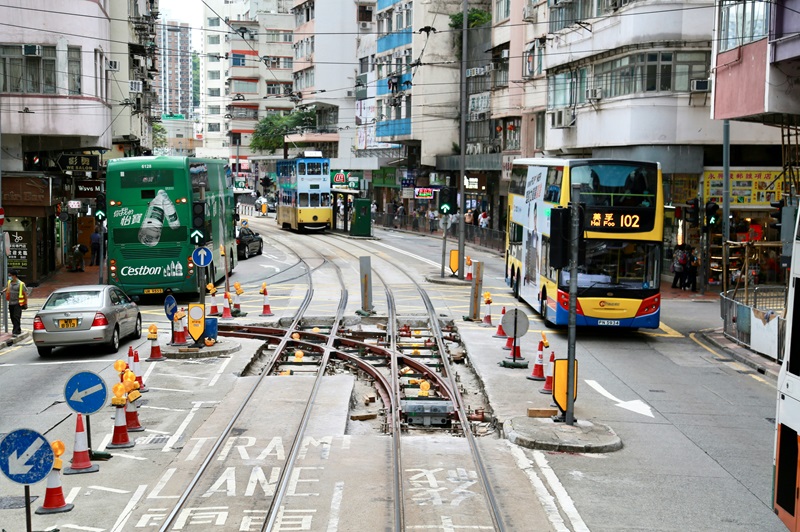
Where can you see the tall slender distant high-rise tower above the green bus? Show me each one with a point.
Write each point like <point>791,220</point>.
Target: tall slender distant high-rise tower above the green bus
<point>174,79</point>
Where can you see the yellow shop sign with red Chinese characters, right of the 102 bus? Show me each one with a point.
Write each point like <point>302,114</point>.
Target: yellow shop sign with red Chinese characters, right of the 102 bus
<point>747,187</point>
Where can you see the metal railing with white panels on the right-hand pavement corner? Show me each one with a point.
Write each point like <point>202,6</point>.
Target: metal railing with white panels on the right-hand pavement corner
<point>737,307</point>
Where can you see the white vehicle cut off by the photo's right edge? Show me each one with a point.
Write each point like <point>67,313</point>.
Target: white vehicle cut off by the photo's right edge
<point>786,469</point>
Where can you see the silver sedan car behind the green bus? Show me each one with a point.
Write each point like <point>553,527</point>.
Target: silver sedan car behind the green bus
<point>83,315</point>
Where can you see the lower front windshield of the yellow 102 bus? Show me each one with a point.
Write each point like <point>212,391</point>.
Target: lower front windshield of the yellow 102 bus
<point>617,264</point>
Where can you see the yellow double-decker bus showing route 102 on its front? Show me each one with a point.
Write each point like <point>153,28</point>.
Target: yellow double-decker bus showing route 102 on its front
<point>623,223</point>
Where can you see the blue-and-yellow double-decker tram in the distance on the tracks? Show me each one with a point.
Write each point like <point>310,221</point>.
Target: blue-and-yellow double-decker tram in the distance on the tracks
<point>304,192</point>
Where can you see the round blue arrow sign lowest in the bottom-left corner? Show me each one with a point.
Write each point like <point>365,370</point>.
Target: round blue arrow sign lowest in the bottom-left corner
<point>25,456</point>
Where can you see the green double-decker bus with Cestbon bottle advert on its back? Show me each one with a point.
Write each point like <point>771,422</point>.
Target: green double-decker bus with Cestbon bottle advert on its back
<point>150,222</point>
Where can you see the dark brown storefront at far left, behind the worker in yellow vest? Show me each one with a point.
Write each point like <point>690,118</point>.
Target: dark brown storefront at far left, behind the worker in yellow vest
<point>35,234</point>
